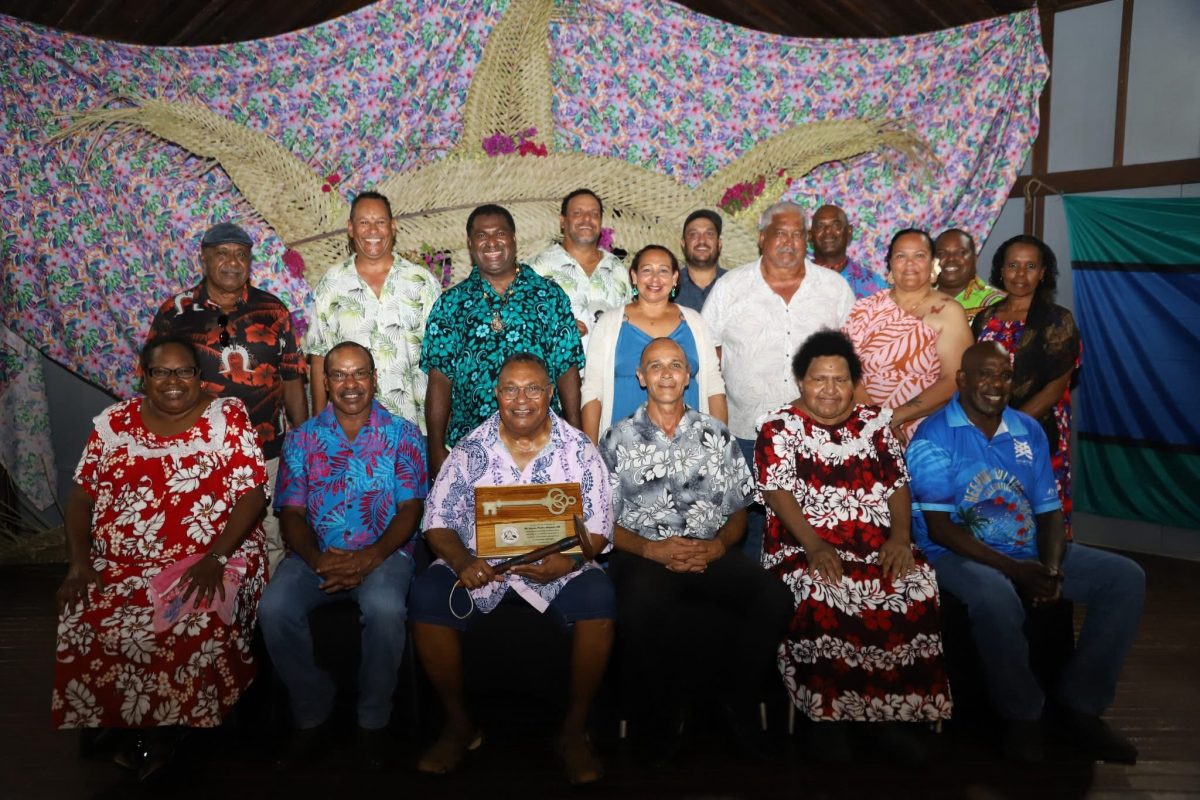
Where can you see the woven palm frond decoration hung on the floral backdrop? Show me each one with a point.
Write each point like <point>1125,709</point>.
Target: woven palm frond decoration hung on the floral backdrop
<point>511,92</point>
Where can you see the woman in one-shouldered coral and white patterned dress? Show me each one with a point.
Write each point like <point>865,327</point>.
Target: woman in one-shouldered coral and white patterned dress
<point>910,338</point>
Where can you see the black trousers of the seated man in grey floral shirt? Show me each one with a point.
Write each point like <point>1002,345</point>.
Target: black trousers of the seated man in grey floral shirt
<point>713,633</point>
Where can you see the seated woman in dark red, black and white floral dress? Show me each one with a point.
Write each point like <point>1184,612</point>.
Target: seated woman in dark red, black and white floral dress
<point>865,645</point>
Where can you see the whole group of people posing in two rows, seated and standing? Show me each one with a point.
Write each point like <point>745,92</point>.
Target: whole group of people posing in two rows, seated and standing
<point>782,466</point>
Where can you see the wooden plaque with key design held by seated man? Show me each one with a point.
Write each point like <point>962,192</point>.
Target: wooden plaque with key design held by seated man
<point>515,520</point>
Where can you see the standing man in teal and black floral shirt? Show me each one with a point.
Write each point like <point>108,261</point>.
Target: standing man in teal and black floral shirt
<point>502,308</point>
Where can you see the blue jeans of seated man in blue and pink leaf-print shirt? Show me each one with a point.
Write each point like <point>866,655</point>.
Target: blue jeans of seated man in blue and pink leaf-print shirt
<point>284,616</point>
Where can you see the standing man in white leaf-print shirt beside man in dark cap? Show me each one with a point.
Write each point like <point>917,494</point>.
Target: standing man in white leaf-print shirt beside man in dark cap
<point>381,302</point>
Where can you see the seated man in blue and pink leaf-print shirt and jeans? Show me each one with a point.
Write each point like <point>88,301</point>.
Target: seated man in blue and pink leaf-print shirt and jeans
<point>351,492</point>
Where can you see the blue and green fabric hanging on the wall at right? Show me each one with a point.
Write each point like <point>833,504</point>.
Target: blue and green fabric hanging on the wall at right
<point>1137,273</point>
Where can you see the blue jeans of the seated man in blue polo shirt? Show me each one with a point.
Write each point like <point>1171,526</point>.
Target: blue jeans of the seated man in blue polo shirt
<point>1112,587</point>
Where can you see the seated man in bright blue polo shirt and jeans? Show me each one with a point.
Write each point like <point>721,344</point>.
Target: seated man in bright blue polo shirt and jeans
<point>992,526</point>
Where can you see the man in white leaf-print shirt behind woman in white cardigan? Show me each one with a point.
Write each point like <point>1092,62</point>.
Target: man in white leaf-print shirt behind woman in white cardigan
<point>593,279</point>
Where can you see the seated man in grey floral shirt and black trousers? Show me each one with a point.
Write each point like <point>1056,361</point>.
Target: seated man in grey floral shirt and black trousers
<point>685,591</point>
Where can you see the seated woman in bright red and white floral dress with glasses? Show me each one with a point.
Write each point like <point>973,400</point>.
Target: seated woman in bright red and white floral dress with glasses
<point>170,476</point>
